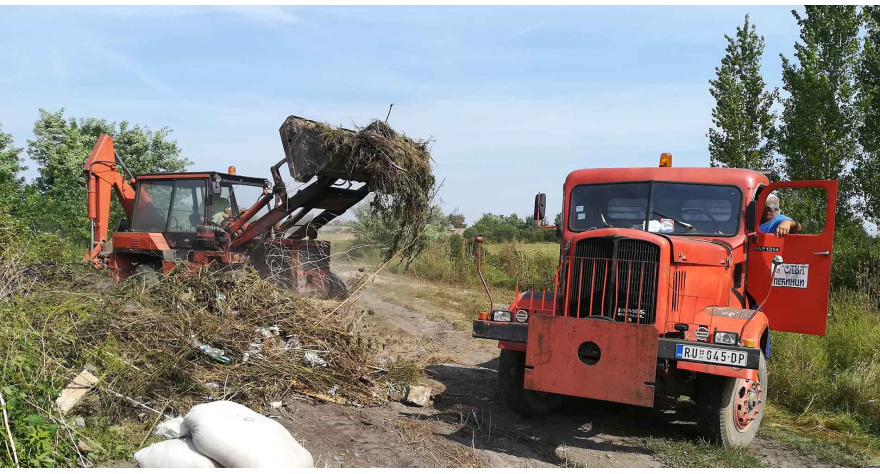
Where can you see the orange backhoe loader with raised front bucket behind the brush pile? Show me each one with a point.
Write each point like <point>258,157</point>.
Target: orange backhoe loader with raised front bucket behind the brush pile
<point>196,218</point>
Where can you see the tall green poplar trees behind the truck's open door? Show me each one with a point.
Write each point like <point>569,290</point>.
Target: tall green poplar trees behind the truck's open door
<point>826,125</point>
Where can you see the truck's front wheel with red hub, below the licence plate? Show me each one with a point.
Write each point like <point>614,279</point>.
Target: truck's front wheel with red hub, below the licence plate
<point>731,409</point>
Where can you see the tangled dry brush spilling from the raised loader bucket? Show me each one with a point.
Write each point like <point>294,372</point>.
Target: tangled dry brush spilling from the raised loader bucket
<point>399,172</point>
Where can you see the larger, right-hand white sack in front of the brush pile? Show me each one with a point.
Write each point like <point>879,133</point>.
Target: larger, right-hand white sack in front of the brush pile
<point>236,436</point>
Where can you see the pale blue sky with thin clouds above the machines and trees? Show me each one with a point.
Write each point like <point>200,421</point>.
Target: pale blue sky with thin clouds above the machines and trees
<point>514,98</point>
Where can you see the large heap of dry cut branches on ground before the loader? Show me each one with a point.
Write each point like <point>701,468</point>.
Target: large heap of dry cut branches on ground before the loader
<point>139,339</point>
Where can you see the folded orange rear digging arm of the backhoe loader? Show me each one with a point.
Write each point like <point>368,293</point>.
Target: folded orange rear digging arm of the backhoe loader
<point>102,177</point>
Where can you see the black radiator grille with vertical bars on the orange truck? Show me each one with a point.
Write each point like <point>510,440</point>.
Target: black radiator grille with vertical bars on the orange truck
<point>615,278</point>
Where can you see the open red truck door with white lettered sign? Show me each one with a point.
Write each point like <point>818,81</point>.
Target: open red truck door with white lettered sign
<point>798,292</point>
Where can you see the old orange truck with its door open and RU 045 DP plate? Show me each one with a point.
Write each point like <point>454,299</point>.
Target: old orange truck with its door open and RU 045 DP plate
<point>666,286</point>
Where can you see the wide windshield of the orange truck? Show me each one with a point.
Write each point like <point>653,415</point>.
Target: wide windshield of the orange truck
<point>668,208</point>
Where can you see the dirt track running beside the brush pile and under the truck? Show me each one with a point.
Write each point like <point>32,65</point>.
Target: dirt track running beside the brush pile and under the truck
<point>468,425</point>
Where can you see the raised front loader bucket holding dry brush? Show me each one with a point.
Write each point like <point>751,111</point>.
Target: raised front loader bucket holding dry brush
<point>307,154</point>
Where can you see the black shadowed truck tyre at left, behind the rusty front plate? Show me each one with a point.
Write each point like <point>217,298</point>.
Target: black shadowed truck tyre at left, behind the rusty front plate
<point>530,403</point>
